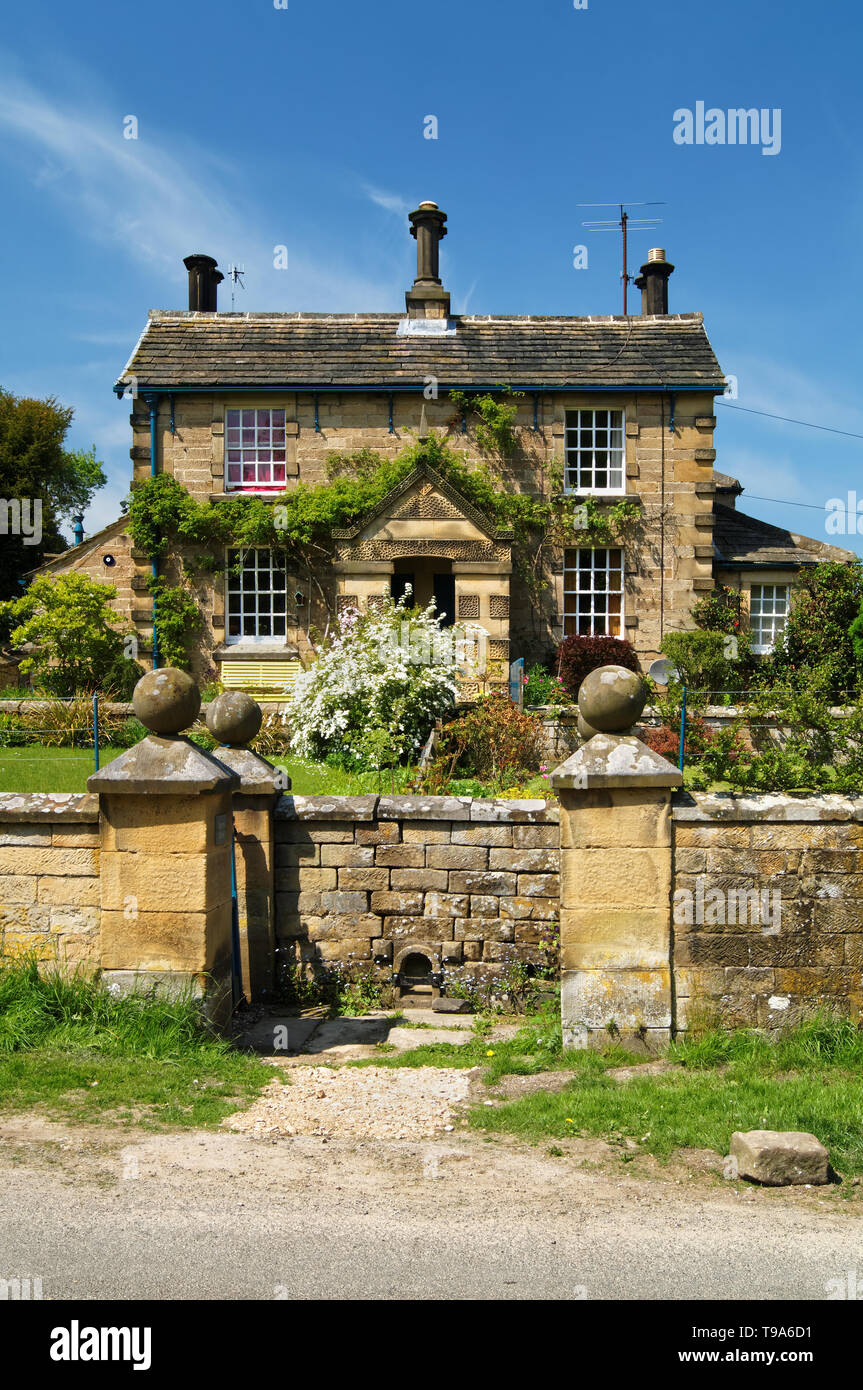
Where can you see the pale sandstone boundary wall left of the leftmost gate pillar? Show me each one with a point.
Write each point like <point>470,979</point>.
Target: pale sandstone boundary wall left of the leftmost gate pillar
<point>49,878</point>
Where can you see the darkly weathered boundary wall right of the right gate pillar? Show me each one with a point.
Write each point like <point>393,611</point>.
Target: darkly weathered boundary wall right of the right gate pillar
<point>778,883</point>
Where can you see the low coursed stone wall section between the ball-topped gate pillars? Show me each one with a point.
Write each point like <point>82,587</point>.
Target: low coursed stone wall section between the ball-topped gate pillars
<point>368,879</point>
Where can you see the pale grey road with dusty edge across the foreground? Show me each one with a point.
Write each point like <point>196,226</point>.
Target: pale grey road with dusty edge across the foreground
<point>226,1217</point>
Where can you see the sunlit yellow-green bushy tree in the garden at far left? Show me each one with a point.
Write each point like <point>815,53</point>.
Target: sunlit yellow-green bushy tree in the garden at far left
<point>76,643</point>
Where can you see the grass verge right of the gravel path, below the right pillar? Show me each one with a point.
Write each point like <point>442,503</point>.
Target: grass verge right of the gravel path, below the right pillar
<point>807,1079</point>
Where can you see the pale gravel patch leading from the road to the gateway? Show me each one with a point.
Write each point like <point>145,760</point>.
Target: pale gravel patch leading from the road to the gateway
<point>365,1103</point>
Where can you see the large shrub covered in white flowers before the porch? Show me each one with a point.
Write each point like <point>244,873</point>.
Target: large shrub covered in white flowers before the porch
<point>377,686</point>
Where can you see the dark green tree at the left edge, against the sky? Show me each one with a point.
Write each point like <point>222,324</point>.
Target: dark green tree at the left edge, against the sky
<point>42,484</point>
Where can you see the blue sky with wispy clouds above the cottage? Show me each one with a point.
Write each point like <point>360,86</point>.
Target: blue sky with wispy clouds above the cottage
<point>305,127</point>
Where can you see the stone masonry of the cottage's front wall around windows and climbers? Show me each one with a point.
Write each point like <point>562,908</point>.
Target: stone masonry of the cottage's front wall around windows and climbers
<point>671,472</point>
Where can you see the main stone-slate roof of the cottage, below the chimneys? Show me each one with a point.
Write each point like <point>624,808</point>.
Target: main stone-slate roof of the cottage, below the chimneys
<point>191,351</point>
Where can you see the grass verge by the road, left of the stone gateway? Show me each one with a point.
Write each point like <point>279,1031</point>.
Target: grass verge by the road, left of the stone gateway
<point>72,1050</point>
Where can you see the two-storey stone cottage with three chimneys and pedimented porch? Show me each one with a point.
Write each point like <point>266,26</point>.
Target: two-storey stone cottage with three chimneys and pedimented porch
<point>612,408</point>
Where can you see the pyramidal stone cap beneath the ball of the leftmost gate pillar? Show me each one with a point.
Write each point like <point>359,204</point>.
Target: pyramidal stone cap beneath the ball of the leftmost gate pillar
<point>166,765</point>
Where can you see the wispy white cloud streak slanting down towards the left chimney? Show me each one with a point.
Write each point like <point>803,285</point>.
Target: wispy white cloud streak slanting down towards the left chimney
<point>141,197</point>
